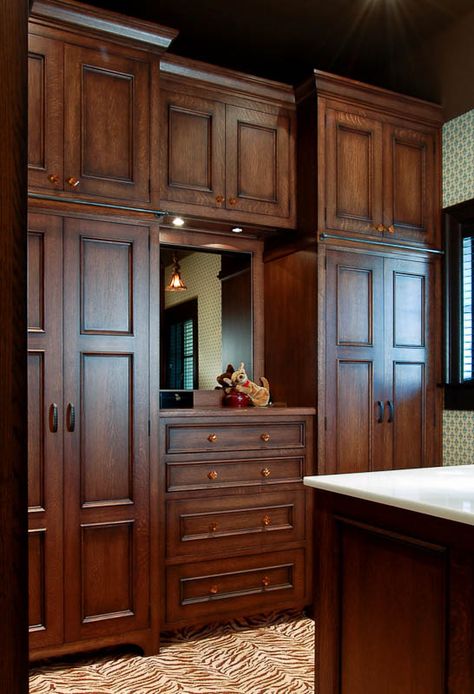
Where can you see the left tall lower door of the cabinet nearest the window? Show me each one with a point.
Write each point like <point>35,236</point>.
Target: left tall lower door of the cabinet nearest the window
<point>354,362</point>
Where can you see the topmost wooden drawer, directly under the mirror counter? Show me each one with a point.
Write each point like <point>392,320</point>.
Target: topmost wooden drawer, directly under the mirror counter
<point>209,437</point>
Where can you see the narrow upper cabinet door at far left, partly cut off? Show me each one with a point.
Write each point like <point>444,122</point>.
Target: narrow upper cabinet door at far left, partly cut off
<point>45,113</point>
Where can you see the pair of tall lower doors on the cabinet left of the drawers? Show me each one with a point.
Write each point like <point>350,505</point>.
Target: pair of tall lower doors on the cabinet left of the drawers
<point>88,444</point>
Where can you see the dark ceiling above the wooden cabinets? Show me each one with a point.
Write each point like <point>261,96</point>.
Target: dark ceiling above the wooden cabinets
<point>286,39</point>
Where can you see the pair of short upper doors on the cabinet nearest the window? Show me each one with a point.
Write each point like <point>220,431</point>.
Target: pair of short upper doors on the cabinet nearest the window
<point>381,177</point>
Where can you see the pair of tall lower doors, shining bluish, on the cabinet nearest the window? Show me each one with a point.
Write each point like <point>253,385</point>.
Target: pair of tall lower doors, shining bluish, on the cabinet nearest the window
<point>382,341</point>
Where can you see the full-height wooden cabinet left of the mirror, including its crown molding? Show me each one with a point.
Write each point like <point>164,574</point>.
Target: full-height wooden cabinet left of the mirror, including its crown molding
<point>93,84</point>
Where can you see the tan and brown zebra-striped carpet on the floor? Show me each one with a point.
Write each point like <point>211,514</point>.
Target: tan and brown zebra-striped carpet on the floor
<point>263,655</point>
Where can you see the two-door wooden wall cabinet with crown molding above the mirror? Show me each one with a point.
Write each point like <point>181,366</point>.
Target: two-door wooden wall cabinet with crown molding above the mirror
<point>227,145</point>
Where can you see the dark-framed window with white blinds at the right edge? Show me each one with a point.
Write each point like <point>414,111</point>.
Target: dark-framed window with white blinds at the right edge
<point>459,391</point>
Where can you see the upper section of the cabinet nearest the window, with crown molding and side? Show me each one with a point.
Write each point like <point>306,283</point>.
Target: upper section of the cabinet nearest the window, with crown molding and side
<point>378,159</point>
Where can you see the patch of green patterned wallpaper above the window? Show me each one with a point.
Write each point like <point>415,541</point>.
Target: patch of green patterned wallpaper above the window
<point>458,159</point>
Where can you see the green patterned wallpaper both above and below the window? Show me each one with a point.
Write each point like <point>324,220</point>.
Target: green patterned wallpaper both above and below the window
<point>458,185</point>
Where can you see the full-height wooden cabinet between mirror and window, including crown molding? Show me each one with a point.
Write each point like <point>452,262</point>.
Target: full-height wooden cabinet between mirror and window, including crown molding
<point>369,198</point>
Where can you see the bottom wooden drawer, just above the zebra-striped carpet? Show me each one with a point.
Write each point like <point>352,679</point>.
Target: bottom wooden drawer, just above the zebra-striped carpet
<point>210,589</point>
